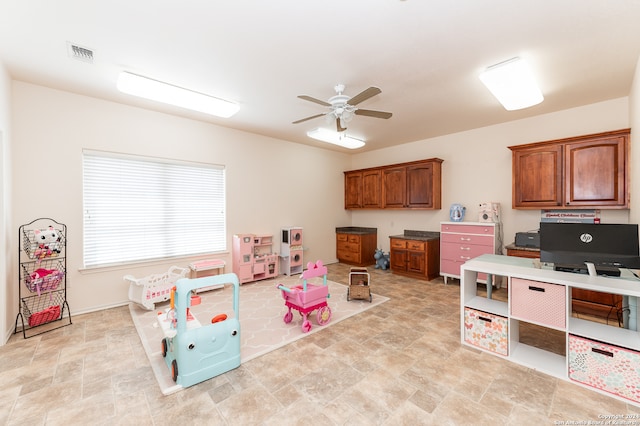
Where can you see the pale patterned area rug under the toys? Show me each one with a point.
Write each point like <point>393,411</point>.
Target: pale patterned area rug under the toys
<point>262,326</point>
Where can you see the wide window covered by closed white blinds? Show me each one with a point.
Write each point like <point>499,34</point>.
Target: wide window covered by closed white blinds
<point>138,209</point>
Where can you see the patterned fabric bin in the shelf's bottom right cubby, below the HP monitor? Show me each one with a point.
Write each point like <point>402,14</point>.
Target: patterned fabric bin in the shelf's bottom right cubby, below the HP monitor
<point>605,367</point>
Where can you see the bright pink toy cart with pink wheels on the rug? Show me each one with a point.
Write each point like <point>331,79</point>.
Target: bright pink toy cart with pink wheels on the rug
<point>308,297</point>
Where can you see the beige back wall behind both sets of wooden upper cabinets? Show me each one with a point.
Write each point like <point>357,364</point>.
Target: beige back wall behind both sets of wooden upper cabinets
<point>477,168</point>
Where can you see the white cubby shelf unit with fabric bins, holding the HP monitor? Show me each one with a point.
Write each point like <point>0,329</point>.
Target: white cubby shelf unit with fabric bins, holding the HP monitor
<point>541,296</point>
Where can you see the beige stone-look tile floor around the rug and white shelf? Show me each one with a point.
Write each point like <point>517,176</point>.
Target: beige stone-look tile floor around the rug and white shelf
<point>400,363</point>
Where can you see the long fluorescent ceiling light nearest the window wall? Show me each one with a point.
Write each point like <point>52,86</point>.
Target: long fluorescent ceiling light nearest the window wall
<point>155,90</point>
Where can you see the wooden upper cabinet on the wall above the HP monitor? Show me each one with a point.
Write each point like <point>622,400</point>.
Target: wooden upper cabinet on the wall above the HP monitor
<point>581,172</point>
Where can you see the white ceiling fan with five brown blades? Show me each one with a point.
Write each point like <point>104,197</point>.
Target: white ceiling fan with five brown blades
<point>342,108</point>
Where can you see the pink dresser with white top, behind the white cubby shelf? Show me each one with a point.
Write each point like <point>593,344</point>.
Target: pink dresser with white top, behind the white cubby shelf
<point>462,241</point>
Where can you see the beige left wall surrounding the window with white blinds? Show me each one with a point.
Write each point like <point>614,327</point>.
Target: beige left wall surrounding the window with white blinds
<point>270,183</point>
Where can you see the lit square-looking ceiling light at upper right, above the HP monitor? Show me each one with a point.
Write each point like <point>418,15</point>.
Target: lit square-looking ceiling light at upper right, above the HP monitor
<point>513,84</point>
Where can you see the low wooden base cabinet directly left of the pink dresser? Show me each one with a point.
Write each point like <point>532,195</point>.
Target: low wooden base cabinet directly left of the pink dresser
<point>415,258</point>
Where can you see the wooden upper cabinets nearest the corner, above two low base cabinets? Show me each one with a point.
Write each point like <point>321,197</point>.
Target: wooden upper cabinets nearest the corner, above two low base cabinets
<point>415,185</point>
